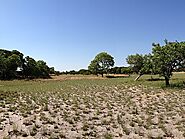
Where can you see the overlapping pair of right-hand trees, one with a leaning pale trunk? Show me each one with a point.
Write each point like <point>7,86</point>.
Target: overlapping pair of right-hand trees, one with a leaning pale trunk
<point>163,60</point>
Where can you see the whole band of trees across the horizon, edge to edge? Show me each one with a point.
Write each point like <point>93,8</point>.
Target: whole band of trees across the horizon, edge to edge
<point>163,60</point>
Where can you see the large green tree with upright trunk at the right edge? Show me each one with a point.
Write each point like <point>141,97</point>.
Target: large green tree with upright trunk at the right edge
<point>167,58</point>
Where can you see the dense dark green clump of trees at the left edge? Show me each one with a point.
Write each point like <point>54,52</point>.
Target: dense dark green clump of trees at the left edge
<point>14,65</point>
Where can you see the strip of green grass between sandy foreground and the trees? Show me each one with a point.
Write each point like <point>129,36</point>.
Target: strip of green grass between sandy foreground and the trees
<point>177,81</point>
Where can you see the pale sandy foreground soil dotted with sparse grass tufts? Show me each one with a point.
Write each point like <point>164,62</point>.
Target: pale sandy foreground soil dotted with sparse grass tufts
<point>93,111</point>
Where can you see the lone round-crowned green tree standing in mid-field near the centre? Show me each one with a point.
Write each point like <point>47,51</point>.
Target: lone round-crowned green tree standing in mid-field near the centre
<point>101,63</point>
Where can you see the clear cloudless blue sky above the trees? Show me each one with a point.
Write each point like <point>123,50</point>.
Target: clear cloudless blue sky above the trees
<point>68,34</point>
